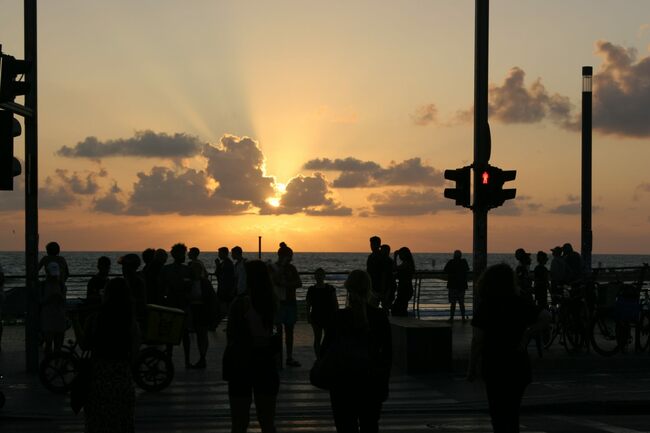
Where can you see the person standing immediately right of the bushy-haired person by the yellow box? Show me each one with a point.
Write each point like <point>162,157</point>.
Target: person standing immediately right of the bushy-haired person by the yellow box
<point>201,298</point>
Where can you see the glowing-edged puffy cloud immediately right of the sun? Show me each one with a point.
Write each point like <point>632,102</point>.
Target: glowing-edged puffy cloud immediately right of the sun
<point>308,194</point>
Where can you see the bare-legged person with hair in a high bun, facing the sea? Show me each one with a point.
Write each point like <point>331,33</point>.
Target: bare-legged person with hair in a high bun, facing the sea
<point>285,282</point>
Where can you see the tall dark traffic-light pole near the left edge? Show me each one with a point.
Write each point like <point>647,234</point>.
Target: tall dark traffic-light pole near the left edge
<point>31,189</point>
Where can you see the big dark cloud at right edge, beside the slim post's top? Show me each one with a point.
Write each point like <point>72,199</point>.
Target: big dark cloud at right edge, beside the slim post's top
<point>621,92</point>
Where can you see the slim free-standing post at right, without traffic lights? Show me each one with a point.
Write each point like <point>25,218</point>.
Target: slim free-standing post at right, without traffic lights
<point>586,236</point>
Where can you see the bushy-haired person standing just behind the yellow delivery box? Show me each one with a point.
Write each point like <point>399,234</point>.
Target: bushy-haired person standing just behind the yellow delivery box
<point>176,281</point>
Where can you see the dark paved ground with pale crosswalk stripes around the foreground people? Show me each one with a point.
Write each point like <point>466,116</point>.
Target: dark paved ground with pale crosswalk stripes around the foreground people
<point>197,400</point>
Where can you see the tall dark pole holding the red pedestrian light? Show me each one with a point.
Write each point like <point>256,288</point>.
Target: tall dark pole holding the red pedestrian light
<point>481,133</point>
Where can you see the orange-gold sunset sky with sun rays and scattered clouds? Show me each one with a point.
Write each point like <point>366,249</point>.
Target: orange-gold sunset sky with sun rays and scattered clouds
<point>323,123</point>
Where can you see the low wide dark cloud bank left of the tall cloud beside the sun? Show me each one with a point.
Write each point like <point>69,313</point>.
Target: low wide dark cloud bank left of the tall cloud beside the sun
<point>165,191</point>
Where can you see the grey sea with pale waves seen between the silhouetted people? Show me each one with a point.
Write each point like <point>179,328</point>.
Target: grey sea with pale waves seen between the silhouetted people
<point>429,302</point>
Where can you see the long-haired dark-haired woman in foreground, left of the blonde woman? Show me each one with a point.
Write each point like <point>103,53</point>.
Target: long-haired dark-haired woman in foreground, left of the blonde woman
<point>249,358</point>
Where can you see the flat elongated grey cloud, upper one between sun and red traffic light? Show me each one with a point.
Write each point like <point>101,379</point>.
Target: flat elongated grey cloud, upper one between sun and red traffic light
<point>365,174</point>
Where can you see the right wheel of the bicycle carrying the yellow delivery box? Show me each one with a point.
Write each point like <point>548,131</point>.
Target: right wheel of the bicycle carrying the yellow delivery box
<point>154,370</point>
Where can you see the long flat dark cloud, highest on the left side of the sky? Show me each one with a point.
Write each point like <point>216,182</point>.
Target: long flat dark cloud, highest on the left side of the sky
<point>144,144</point>
